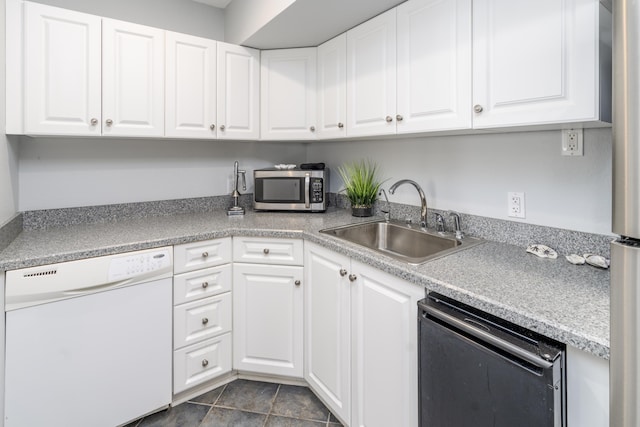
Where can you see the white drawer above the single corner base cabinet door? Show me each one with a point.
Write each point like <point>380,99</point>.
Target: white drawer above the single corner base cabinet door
<point>268,251</point>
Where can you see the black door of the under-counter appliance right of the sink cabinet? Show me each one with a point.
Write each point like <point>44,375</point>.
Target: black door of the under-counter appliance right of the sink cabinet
<point>465,381</point>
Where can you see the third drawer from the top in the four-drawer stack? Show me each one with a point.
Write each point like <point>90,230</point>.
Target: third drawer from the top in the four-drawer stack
<point>202,319</point>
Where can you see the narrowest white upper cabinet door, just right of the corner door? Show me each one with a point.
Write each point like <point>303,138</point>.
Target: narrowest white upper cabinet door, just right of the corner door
<point>332,88</point>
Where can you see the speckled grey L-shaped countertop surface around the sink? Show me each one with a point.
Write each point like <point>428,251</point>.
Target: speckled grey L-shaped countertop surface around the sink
<point>565,302</point>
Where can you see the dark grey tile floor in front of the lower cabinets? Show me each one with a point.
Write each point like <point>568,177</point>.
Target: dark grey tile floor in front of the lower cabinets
<point>245,403</point>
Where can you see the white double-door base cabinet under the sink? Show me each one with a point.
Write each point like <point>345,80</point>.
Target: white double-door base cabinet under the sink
<point>361,340</point>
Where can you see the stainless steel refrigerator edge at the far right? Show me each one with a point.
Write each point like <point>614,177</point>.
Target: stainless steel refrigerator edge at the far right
<point>625,252</point>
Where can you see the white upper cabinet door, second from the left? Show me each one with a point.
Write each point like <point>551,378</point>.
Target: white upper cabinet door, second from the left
<point>132,79</point>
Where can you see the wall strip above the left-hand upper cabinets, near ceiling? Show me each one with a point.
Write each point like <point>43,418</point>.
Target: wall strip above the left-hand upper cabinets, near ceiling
<point>184,16</point>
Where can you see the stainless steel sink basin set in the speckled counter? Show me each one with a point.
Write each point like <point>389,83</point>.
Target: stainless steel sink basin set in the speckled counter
<point>404,242</point>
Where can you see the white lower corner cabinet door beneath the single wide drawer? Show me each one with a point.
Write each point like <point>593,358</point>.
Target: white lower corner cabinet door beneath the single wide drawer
<point>267,319</point>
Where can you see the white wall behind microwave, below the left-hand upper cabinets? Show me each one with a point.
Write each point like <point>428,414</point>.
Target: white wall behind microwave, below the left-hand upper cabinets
<point>57,173</point>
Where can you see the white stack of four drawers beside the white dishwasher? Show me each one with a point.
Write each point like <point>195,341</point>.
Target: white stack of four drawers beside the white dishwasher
<point>202,320</point>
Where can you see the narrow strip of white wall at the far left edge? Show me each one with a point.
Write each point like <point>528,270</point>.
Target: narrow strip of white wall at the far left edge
<point>8,155</point>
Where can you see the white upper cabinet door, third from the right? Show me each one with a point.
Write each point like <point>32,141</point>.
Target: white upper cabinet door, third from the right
<point>371,77</point>
